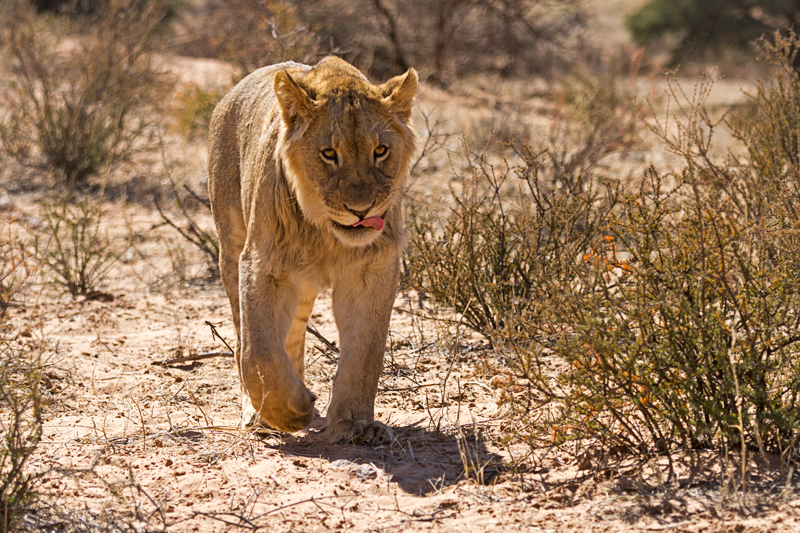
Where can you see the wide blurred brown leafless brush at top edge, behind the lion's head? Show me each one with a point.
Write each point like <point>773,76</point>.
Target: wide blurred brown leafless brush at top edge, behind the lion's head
<point>449,38</point>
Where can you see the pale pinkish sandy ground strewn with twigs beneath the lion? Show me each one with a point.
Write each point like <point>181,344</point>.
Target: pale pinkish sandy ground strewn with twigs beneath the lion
<point>134,443</point>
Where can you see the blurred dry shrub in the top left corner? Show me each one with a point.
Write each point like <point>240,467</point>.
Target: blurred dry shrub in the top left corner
<point>83,88</point>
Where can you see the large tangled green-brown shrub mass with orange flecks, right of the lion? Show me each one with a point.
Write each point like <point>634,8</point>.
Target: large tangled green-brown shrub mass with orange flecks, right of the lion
<point>667,318</point>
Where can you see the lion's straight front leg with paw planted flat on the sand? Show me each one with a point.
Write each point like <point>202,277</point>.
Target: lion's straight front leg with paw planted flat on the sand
<point>362,306</point>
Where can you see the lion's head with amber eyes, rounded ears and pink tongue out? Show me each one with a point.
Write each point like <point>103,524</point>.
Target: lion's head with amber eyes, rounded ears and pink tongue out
<point>347,147</point>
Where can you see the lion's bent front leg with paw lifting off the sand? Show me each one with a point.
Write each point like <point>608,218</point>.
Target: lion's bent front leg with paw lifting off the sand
<point>268,304</point>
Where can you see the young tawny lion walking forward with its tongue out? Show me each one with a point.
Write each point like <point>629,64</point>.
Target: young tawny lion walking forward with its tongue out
<point>305,176</point>
